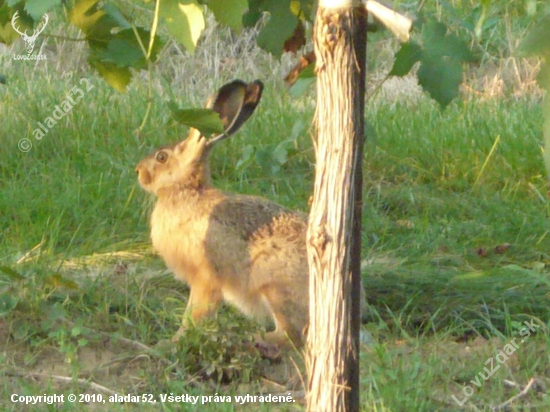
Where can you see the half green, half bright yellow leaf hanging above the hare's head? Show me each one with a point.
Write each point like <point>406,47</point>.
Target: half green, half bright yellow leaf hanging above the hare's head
<point>185,21</point>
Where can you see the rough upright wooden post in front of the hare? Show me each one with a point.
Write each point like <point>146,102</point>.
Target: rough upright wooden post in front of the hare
<point>334,233</point>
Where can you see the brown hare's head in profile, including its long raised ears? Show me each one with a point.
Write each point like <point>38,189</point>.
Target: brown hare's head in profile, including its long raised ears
<point>185,164</point>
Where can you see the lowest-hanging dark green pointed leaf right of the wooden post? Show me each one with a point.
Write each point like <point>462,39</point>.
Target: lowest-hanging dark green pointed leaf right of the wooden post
<point>440,77</point>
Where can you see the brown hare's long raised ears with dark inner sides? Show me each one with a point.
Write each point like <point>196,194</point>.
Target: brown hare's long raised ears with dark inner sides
<point>234,102</point>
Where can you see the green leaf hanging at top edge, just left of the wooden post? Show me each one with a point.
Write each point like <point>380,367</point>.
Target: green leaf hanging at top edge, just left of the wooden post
<point>279,28</point>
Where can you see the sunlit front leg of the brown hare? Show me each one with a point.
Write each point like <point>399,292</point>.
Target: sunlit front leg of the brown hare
<point>204,299</point>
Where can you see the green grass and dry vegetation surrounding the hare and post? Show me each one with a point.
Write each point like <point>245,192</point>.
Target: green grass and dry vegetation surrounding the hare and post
<point>456,233</point>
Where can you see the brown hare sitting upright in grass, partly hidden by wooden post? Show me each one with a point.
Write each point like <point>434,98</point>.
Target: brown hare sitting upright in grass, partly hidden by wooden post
<point>243,249</point>
